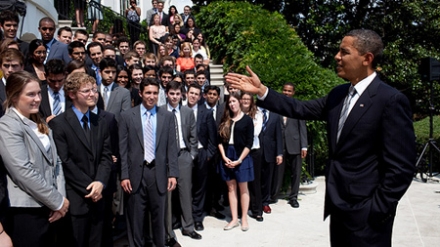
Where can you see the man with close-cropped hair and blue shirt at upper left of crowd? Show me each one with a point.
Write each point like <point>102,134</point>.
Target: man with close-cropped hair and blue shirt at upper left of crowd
<point>55,48</point>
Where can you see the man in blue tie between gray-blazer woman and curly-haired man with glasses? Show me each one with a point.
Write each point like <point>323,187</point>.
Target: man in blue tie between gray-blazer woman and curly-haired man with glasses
<point>53,100</point>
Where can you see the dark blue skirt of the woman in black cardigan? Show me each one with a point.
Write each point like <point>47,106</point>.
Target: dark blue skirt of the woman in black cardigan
<point>242,173</point>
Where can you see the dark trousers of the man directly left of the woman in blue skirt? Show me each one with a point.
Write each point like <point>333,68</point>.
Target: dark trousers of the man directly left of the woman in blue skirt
<point>200,180</point>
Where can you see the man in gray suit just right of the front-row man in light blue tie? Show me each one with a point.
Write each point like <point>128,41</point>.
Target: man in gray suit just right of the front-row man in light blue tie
<point>188,150</point>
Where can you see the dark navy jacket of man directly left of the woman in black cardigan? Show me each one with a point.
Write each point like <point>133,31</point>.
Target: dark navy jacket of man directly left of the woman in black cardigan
<point>206,130</point>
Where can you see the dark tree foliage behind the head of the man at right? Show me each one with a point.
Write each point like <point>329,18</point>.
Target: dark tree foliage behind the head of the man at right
<point>409,28</point>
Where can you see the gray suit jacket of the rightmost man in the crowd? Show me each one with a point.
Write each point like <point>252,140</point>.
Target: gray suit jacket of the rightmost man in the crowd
<point>294,135</point>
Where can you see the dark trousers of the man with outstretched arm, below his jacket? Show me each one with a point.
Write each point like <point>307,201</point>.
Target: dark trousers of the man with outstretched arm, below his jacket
<point>367,236</point>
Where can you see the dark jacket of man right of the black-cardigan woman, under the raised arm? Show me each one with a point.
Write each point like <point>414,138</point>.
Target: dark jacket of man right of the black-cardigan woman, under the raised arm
<point>271,140</point>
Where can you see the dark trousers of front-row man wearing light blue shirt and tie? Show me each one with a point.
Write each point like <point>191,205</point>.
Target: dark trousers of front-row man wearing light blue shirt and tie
<point>147,197</point>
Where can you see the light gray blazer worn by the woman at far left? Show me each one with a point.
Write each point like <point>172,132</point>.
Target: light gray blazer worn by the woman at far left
<point>32,171</point>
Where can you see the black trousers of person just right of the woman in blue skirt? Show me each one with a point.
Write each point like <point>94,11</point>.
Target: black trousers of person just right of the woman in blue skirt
<point>256,205</point>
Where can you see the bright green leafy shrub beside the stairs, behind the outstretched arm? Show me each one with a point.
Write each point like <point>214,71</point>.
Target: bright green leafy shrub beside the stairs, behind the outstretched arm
<point>241,34</point>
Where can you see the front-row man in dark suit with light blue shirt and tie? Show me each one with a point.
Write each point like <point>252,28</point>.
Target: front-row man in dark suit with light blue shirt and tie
<point>148,149</point>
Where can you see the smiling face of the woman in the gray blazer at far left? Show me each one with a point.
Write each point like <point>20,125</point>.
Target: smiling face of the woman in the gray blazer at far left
<point>28,102</point>
